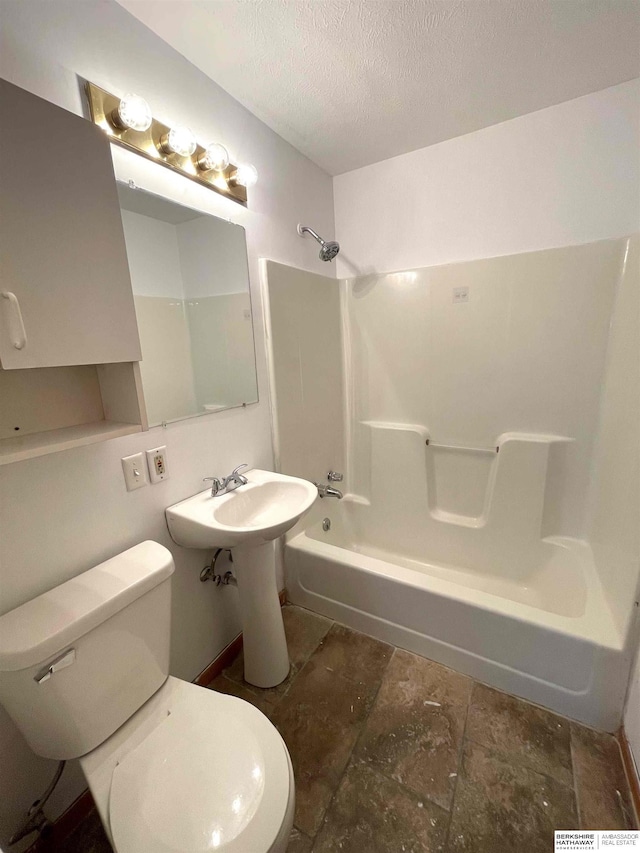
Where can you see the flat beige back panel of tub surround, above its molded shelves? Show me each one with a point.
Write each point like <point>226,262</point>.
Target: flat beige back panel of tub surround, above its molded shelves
<point>526,353</point>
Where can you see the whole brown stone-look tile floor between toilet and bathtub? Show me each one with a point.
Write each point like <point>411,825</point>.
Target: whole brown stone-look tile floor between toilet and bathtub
<point>393,753</point>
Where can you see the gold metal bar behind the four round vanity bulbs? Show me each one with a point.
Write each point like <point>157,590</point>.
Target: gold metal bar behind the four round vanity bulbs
<point>149,143</point>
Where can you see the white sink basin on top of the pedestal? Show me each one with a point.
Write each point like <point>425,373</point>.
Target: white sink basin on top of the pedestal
<point>264,509</point>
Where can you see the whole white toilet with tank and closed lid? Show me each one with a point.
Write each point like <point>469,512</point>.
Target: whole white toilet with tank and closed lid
<point>84,673</point>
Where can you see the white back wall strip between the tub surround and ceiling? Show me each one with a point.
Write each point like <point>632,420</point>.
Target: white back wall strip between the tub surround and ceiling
<point>564,175</point>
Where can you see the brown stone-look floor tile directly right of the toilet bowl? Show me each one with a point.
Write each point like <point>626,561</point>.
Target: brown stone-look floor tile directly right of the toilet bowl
<point>319,750</point>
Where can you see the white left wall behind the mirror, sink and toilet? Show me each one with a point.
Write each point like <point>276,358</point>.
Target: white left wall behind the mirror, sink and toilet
<point>63,513</point>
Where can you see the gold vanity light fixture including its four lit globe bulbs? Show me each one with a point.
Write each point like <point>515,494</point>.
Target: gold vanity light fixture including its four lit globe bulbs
<point>128,121</point>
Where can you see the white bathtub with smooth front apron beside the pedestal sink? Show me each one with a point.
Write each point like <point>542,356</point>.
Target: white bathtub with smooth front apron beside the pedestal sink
<point>543,632</point>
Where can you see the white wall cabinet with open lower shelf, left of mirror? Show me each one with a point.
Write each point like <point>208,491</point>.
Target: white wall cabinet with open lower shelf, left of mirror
<point>69,346</point>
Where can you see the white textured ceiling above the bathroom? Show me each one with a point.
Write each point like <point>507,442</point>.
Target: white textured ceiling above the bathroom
<point>352,82</point>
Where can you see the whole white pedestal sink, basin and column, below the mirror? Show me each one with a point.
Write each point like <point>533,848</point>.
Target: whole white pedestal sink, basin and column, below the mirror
<point>247,520</point>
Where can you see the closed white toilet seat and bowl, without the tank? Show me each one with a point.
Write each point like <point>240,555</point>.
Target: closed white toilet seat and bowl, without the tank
<point>200,771</point>
